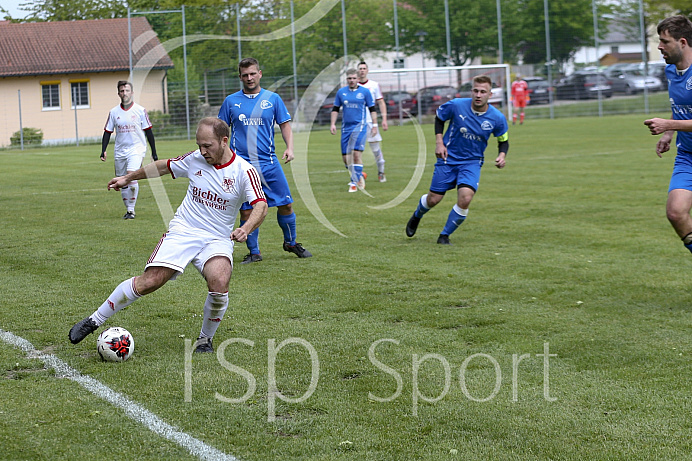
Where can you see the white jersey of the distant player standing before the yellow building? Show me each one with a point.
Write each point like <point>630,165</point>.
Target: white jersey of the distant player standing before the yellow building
<point>129,126</point>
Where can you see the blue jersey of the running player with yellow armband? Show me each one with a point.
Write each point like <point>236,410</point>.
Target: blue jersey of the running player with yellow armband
<point>468,132</point>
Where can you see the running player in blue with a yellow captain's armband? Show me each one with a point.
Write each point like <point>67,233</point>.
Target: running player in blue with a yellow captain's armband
<point>460,154</point>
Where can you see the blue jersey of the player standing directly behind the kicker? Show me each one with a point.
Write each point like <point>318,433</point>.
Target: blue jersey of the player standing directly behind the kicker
<point>252,123</point>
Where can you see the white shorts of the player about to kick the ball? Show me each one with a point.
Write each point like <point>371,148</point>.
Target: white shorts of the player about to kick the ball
<point>177,249</point>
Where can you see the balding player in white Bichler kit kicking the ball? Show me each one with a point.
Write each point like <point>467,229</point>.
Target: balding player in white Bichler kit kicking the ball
<point>202,230</point>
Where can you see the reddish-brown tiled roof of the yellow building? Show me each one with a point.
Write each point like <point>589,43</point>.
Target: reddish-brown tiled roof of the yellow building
<point>67,47</point>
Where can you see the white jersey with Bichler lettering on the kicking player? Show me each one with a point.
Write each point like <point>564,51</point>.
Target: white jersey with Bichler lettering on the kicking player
<point>215,193</point>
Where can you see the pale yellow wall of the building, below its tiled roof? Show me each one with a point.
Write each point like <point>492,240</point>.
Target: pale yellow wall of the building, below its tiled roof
<point>59,125</point>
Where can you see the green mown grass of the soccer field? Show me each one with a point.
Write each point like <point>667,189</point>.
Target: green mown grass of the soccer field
<point>566,252</point>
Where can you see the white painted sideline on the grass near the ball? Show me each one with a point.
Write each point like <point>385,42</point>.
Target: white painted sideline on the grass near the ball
<point>132,409</point>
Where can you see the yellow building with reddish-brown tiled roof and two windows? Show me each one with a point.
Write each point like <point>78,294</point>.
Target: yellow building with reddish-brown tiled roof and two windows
<point>57,66</point>
